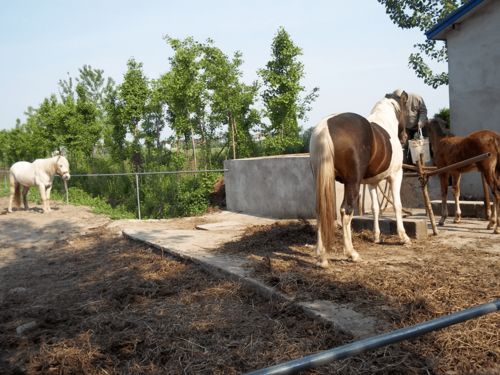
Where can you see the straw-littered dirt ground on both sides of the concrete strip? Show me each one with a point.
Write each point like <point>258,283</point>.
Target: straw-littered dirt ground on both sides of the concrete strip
<point>77,298</point>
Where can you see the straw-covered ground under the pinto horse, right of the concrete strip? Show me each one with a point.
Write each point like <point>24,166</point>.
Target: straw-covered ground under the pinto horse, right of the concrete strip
<point>400,285</point>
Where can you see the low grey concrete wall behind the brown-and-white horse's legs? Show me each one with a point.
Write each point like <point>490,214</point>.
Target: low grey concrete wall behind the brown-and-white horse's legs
<point>283,187</point>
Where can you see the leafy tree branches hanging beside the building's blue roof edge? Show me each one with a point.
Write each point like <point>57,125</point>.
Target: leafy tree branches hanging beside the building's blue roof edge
<point>423,14</point>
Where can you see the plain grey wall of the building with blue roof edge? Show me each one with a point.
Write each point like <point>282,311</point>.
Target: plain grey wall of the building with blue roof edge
<point>474,60</point>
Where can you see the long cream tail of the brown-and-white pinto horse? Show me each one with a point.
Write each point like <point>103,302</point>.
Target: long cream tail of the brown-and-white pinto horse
<point>322,157</point>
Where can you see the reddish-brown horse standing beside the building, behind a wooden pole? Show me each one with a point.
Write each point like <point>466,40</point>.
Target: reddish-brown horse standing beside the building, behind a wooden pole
<point>449,149</point>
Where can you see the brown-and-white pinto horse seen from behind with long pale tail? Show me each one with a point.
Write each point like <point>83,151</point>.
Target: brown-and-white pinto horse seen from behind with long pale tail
<point>353,149</point>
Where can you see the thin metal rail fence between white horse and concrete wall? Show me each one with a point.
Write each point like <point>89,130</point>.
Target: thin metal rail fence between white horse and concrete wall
<point>136,176</point>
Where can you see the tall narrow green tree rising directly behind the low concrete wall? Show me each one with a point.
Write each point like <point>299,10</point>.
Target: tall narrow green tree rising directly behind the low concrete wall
<point>282,94</point>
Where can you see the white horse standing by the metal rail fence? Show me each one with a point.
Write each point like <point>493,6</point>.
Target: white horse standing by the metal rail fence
<point>39,173</point>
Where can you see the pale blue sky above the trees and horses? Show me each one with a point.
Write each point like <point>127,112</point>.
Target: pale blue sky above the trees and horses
<point>352,51</point>
